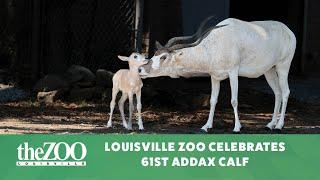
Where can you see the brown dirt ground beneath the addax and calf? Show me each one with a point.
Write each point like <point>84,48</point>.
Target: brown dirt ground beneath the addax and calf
<point>255,111</point>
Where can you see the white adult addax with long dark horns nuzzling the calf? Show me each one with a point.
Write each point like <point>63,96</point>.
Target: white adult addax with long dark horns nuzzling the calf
<point>231,49</point>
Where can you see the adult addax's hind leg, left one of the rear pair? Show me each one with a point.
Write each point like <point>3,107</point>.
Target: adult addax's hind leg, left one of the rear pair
<point>273,81</point>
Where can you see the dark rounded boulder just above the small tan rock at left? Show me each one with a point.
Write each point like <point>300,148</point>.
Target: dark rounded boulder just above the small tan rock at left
<point>51,82</point>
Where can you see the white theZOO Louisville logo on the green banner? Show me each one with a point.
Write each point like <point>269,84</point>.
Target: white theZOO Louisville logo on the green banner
<point>52,154</point>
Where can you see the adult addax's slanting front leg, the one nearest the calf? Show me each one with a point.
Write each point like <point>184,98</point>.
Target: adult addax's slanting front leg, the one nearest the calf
<point>213,101</point>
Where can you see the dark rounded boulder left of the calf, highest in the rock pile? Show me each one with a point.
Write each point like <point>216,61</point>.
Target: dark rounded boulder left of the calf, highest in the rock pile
<point>79,75</point>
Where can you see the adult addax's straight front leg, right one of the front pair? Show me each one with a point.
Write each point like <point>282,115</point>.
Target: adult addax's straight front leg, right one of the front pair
<point>233,76</point>
